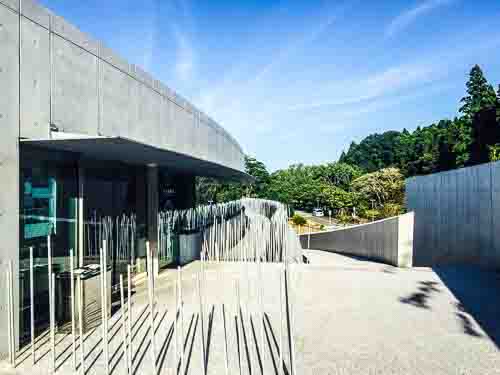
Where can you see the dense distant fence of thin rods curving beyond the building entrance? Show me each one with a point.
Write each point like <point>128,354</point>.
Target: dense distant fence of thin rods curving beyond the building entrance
<point>243,230</point>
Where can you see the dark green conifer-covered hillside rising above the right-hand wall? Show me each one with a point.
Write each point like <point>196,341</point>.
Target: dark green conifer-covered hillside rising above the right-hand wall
<point>471,138</point>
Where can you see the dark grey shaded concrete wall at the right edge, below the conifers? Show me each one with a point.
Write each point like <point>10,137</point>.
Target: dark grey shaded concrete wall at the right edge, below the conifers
<point>457,216</point>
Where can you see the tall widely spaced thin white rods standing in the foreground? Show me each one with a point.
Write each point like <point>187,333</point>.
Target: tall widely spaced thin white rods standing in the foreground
<point>125,318</point>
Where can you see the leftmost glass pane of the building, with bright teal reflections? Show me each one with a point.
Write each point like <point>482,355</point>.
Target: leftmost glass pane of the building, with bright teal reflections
<point>48,202</point>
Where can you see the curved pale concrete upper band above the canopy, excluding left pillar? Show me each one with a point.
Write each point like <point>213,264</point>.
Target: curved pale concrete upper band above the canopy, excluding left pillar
<point>72,84</point>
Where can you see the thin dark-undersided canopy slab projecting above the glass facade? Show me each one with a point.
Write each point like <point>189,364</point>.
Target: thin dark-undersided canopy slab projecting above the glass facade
<point>136,153</point>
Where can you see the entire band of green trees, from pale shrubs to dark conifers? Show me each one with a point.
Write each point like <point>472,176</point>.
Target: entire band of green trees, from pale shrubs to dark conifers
<point>368,181</point>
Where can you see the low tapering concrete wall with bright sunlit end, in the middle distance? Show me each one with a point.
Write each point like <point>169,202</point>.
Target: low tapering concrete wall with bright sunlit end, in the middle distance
<point>389,240</point>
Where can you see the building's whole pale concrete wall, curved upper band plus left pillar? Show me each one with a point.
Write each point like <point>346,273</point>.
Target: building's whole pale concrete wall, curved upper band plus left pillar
<point>55,77</point>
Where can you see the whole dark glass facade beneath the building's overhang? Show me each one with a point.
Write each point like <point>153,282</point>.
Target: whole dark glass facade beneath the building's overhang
<point>115,208</point>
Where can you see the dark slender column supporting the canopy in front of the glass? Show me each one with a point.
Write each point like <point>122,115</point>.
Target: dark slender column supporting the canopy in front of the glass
<point>152,214</point>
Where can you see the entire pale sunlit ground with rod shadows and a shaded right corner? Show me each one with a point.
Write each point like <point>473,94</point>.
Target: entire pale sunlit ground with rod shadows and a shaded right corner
<point>349,316</point>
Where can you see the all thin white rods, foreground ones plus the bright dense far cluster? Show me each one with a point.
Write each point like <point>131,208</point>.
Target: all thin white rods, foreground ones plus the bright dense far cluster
<point>245,236</point>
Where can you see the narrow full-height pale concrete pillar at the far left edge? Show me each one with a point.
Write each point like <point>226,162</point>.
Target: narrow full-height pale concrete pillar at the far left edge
<point>9,166</point>
